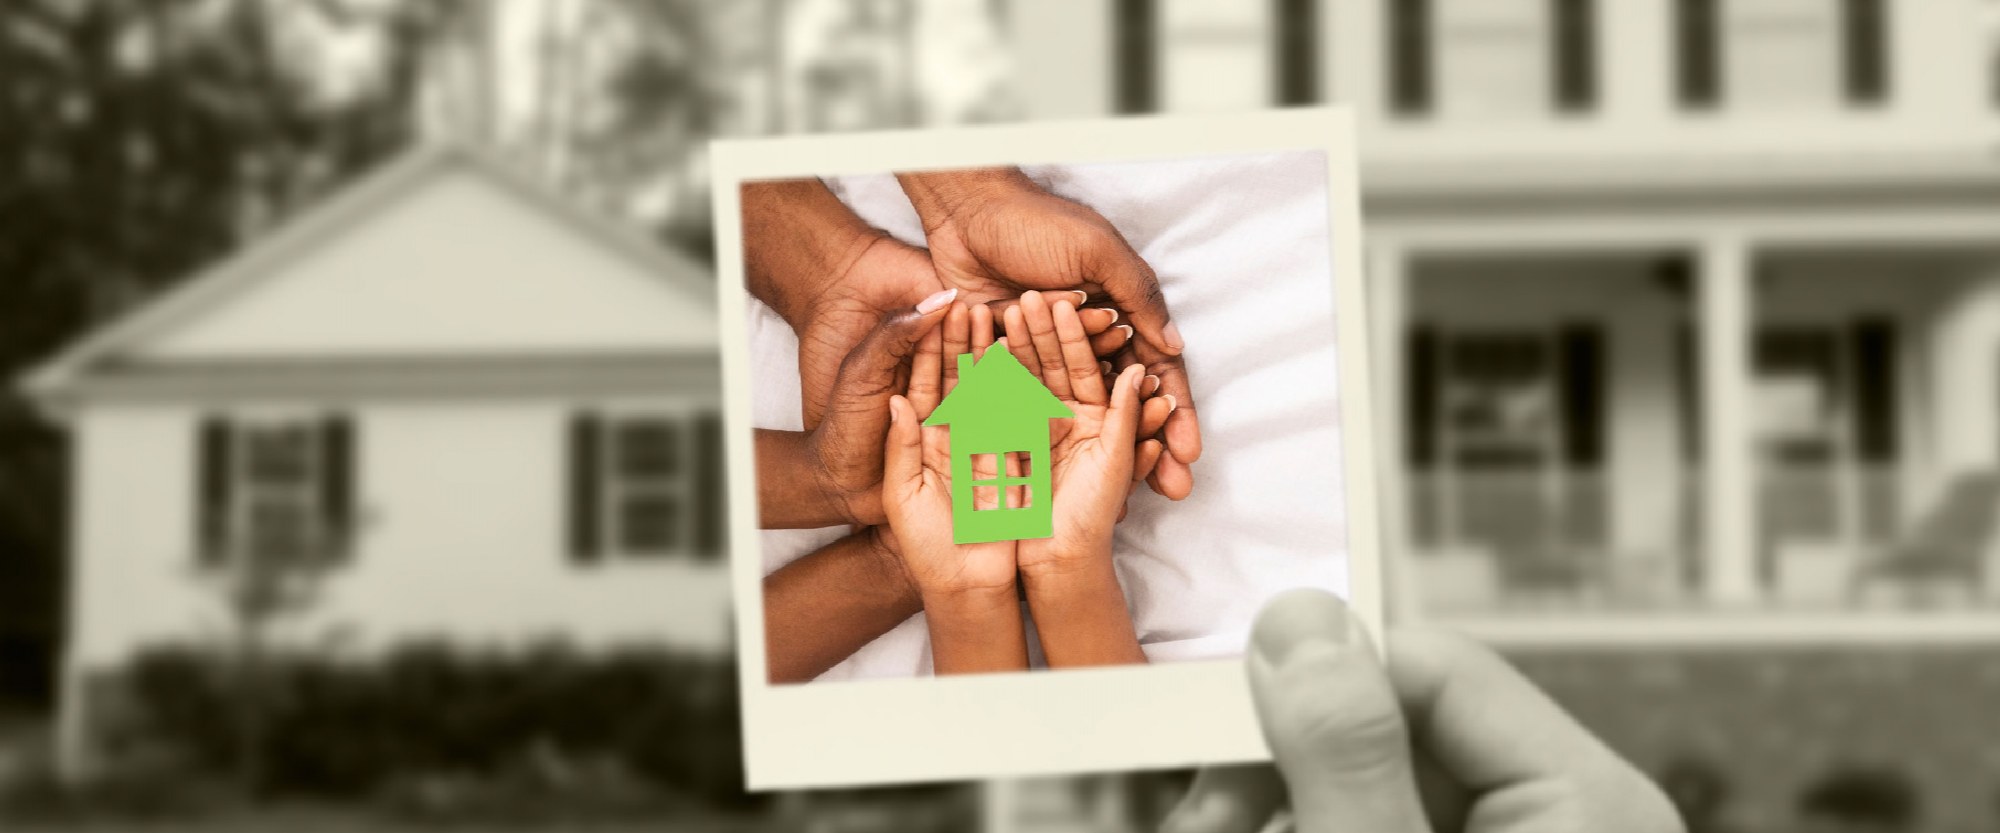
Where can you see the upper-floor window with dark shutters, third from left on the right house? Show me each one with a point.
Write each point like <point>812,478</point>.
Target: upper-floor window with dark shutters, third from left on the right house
<point>1781,53</point>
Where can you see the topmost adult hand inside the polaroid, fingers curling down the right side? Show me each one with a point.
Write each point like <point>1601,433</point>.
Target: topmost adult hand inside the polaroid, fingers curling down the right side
<point>993,235</point>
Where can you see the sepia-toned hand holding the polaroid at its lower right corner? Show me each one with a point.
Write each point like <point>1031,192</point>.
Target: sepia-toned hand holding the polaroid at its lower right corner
<point>1449,738</point>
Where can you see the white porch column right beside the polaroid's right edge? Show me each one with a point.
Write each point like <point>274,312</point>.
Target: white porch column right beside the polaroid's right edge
<point>1389,319</point>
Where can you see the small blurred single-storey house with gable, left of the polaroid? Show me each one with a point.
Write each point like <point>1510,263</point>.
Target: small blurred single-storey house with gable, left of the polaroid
<point>509,409</point>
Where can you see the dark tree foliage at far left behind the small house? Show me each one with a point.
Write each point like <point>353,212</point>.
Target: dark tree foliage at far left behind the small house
<point>141,141</point>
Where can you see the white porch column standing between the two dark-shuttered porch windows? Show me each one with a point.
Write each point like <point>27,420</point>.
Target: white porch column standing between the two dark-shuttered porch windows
<point>1729,498</point>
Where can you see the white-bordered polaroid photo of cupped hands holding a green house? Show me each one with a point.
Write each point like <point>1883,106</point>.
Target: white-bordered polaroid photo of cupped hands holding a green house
<point>985,520</point>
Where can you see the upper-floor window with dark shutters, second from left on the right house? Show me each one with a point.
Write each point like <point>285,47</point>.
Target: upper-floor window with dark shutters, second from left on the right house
<point>1493,57</point>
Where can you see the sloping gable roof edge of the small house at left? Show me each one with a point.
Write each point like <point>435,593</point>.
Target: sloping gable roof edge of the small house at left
<point>345,211</point>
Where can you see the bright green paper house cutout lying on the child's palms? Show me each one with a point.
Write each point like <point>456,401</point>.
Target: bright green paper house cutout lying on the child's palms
<point>999,409</point>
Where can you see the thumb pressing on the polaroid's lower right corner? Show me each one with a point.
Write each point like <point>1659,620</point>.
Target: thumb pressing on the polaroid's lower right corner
<point>1333,720</point>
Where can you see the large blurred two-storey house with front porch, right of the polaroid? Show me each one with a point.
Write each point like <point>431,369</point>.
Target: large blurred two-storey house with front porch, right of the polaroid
<point>1687,337</point>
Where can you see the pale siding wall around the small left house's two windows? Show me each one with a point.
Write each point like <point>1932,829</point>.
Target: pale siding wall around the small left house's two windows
<point>463,536</point>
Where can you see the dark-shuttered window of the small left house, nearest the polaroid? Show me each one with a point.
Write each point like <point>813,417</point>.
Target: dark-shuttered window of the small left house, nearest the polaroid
<point>647,486</point>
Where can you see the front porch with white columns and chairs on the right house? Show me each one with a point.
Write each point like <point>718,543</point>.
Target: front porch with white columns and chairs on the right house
<point>1725,428</point>
